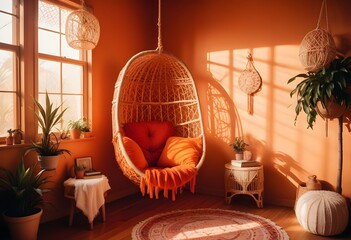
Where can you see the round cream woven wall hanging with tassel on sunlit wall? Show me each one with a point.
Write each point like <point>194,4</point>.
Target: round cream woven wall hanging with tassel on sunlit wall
<point>250,82</point>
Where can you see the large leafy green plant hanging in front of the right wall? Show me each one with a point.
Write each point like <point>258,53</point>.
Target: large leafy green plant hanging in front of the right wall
<point>322,89</point>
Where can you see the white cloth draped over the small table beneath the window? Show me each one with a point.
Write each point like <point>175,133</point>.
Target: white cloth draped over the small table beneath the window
<point>89,194</point>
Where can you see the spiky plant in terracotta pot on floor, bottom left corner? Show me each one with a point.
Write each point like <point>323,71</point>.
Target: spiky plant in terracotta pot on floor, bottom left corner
<point>24,193</point>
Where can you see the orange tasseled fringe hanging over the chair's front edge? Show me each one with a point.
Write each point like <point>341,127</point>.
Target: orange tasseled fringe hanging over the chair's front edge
<point>151,189</point>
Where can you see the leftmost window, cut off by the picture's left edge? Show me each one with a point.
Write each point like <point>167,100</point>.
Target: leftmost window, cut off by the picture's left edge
<point>9,70</point>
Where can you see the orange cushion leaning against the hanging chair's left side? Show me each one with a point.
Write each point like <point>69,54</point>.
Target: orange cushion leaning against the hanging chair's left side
<point>135,153</point>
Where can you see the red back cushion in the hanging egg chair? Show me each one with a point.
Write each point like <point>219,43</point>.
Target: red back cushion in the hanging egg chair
<point>151,137</point>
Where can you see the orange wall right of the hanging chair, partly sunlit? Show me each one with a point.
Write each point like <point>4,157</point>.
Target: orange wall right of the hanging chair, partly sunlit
<point>213,39</point>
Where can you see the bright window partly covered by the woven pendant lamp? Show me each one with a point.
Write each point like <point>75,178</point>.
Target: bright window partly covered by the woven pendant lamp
<point>62,70</point>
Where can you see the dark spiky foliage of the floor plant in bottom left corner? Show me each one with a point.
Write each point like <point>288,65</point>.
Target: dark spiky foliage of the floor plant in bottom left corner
<point>23,189</point>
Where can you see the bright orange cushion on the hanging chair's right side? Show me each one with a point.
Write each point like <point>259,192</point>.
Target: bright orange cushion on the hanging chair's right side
<point>181,151</point>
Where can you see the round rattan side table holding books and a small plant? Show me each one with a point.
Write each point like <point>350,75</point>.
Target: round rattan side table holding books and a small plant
<point>244,180</point>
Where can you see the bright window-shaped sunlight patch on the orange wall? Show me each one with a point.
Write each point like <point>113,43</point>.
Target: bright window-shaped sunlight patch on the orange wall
<point>272,123</point>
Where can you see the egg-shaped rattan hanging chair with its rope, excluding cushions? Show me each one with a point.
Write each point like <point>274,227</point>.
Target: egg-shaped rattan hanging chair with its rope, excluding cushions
<point>155,86</point>
